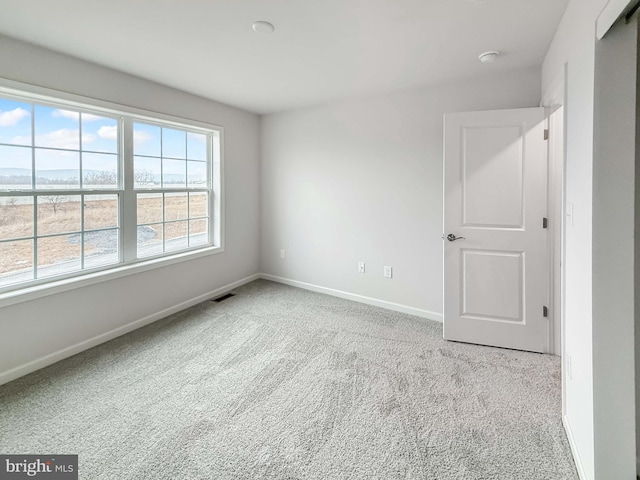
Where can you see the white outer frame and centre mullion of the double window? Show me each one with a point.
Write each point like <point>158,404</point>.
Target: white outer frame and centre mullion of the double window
<point>129,265</point>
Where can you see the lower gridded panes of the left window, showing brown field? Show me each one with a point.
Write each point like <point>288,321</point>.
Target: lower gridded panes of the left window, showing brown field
<point>53,237</point>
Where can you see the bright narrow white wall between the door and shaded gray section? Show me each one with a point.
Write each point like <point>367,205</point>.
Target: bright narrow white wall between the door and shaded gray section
<point>574,43</point>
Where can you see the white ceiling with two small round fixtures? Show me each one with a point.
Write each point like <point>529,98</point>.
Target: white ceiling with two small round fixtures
<point>321,50</point>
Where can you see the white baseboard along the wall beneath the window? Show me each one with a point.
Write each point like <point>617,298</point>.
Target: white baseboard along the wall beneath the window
<point>54,357</point>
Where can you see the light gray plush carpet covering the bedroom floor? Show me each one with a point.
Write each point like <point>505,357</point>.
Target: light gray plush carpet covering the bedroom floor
<point>281,383</point>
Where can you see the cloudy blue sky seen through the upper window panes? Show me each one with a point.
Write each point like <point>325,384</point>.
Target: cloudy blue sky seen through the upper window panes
<point>60,135</point>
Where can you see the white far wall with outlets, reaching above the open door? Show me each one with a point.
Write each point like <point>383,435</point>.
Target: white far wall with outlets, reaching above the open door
<point>361,180</point>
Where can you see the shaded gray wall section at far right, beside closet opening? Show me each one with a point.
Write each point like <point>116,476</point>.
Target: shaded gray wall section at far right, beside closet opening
<point>613,252</point>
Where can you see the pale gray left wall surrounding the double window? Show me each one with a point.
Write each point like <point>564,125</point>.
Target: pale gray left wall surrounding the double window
<point>33,330</point>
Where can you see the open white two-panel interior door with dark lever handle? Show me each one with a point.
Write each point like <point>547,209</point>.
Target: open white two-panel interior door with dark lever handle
<point>496,277</point>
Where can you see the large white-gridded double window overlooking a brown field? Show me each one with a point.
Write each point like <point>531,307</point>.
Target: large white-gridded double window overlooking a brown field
<point>84,189</point>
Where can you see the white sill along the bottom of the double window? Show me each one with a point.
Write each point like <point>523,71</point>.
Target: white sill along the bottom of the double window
<point>58,286</point>
